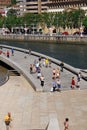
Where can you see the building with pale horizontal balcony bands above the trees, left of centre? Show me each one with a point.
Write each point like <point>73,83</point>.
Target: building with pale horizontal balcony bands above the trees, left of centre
<point>32,6</point>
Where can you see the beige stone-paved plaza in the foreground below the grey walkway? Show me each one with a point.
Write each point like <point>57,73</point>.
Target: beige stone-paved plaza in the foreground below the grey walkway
<point>33,110</point>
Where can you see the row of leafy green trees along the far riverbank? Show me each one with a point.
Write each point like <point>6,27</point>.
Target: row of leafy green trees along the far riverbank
<point>70,19</point>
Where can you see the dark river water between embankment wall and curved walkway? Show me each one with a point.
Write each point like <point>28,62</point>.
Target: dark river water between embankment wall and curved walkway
<point>72,54</point>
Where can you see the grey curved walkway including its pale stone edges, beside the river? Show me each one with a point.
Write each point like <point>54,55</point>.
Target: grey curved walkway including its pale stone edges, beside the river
<point>22,64</point>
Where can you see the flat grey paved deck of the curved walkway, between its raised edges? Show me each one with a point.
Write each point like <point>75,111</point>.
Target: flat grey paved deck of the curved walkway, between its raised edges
<point>24,60</point>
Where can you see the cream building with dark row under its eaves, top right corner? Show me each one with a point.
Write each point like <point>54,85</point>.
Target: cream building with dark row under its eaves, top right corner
<point>61,5</point>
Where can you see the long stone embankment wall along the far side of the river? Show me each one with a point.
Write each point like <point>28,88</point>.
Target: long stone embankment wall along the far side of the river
<point>47,38</point>
